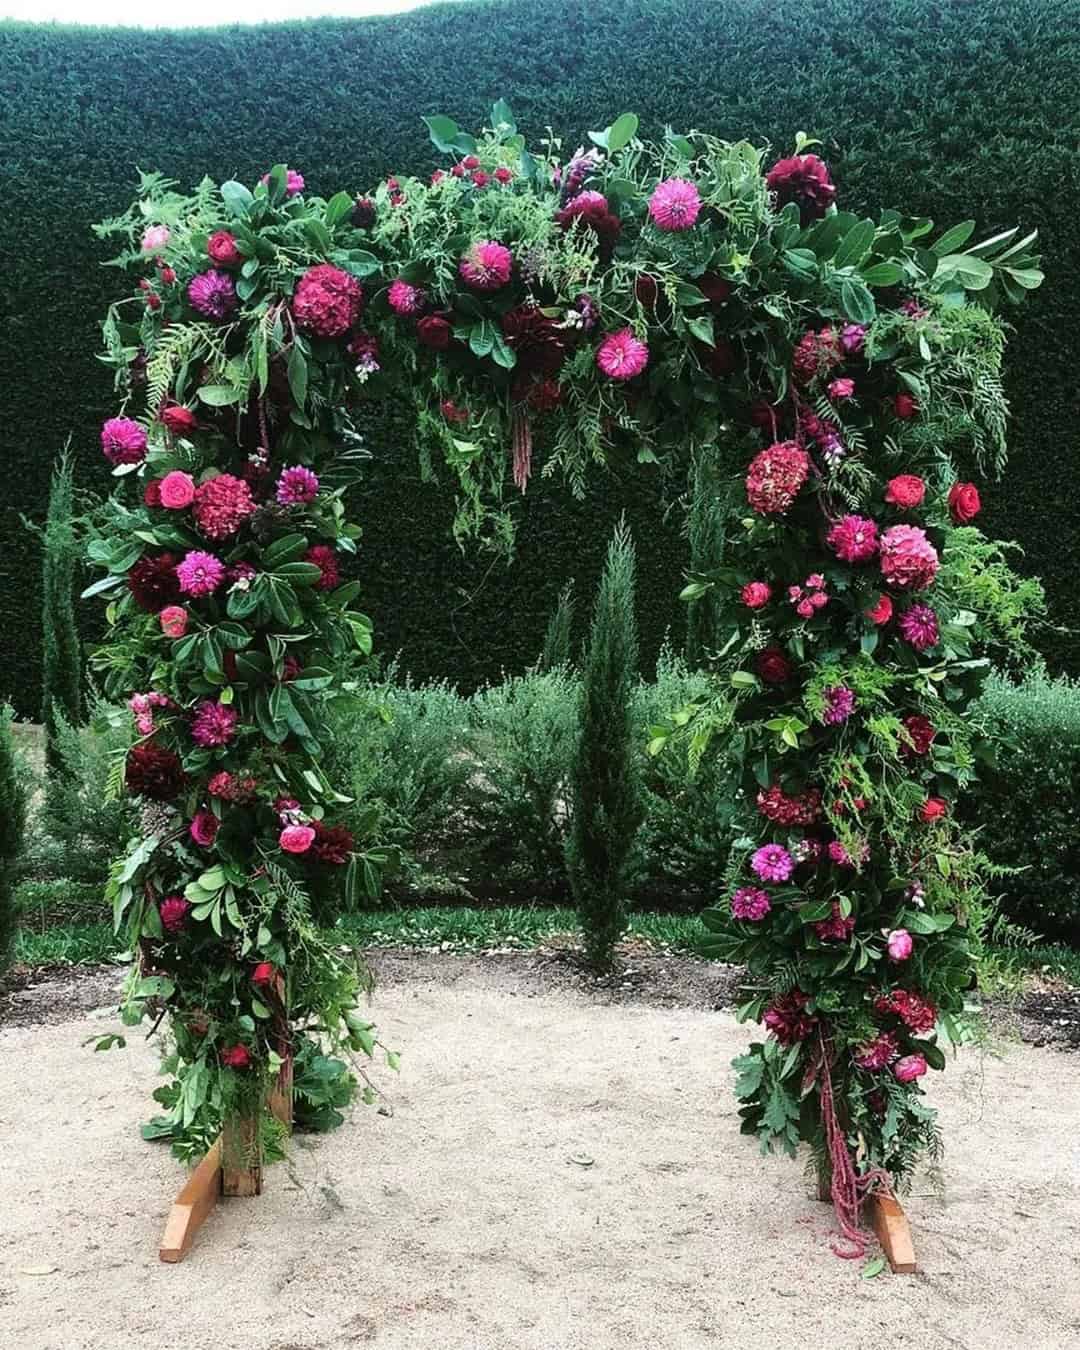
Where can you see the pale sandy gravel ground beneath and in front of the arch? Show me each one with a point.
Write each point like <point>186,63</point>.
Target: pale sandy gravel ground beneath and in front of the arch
<point>561,1172</point>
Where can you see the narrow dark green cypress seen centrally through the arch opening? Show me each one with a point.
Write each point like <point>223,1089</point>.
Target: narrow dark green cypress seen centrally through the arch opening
<point>607,789</point>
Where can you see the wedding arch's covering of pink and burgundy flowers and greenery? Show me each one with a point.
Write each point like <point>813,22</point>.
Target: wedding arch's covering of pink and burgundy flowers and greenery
<point>634,302</point>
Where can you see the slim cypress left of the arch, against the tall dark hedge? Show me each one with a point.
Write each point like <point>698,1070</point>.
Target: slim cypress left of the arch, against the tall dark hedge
<point>61,664</point>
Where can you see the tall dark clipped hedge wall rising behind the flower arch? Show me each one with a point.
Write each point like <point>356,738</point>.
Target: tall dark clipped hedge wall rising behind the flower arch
<point>946,107</point>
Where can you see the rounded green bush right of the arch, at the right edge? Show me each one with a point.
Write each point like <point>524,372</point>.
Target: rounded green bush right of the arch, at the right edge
<point>1029,807</point>
